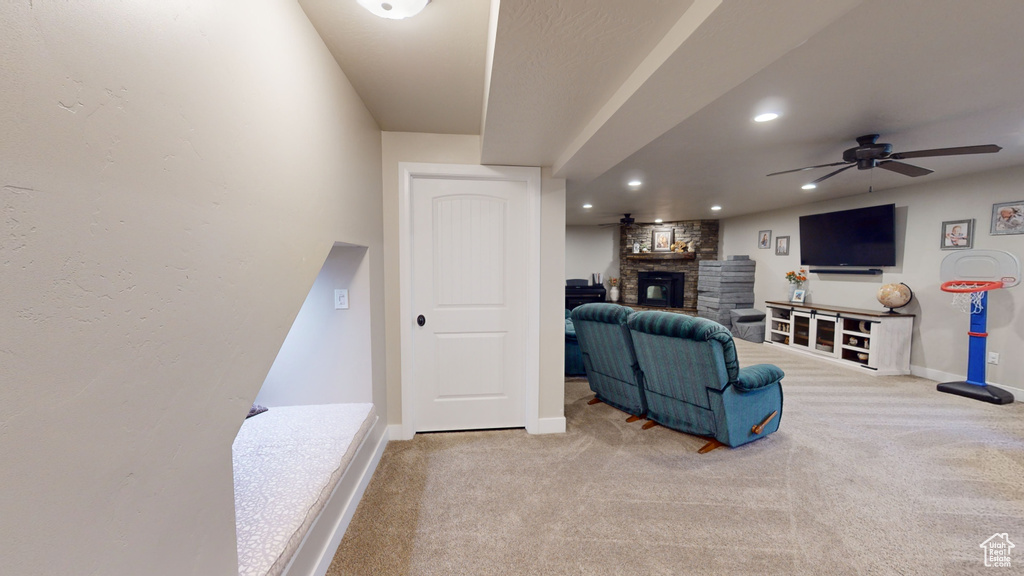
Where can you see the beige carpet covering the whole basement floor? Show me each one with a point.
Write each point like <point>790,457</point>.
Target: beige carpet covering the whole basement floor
<point>866,476</point>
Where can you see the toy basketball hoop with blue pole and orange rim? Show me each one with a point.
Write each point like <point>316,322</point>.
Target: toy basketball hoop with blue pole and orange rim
<point>970,275</point>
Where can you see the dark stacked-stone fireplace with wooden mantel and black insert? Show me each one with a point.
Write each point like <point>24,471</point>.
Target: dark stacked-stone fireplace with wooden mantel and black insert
<point>686,265</point>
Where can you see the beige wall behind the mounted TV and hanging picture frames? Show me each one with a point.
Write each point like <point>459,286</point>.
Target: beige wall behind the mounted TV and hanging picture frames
<point>941,343</point>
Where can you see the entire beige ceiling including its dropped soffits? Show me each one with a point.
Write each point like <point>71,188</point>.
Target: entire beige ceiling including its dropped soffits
<point>665,91</point>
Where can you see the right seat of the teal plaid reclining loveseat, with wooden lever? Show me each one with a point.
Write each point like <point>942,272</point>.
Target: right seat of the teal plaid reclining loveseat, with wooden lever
<point>694,384</point>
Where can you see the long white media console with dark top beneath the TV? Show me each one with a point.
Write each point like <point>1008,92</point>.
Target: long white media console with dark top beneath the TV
<point>876,342</point>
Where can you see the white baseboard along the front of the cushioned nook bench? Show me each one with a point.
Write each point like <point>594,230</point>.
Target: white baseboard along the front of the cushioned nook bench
<point>315,560</point>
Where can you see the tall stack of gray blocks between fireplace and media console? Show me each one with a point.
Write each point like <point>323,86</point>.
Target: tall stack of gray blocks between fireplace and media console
<point>724,286</point>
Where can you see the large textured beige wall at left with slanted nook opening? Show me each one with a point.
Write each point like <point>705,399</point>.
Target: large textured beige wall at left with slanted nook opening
<point>175,175</point>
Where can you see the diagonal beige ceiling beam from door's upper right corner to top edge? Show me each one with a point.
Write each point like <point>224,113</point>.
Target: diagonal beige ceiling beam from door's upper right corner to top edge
<point>714,48</point>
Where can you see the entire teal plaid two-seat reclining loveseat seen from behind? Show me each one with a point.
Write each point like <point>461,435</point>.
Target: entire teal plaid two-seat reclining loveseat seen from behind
<point>677,372</point>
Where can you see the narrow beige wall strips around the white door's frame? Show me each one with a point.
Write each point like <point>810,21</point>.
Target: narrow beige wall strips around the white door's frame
<point>447,149</point>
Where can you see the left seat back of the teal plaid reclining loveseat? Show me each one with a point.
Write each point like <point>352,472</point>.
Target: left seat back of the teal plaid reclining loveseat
<point>609,358</point>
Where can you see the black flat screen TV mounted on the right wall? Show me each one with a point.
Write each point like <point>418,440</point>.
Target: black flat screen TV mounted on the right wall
<point>863,237</point>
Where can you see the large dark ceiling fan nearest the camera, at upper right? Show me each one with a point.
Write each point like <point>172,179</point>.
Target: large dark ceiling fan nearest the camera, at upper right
<point>870,154</point>
